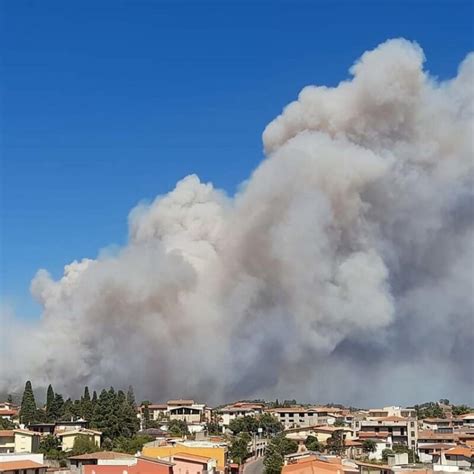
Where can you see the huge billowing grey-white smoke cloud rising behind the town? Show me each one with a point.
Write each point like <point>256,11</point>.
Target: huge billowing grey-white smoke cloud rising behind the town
<point>342,270</point>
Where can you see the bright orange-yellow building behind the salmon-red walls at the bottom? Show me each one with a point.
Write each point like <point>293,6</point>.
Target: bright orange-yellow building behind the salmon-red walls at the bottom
<point>206,449</point>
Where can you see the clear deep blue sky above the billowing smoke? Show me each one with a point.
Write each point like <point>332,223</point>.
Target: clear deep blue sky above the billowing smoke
<point>106,103</point>
